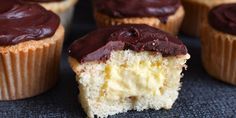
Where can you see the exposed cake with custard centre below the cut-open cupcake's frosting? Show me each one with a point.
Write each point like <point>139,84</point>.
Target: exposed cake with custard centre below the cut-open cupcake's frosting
<point>129,80</point>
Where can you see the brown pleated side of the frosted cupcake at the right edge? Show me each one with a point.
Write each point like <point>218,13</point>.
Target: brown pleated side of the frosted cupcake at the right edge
<point>218,54</point>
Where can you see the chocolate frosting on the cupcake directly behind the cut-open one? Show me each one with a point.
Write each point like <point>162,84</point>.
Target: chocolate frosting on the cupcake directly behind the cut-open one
<point>138,8</point>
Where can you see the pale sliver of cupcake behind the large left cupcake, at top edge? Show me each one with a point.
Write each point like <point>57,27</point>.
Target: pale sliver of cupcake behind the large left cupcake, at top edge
<point>63,8</point>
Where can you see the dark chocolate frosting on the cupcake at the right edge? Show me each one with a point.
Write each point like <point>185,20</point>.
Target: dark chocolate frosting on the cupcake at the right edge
<point>223,18</point>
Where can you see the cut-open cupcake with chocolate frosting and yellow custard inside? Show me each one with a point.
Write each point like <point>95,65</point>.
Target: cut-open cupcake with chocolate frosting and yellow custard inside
<point>127,67</point>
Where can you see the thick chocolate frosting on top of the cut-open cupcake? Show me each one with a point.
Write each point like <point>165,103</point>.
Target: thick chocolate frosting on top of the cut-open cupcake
<point>98,45</point>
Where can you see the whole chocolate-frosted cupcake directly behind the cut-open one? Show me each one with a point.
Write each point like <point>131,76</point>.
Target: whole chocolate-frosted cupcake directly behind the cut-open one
<point>163,14</point>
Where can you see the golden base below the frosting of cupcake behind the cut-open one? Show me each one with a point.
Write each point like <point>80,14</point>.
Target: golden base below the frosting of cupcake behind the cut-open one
<point>172,26</point>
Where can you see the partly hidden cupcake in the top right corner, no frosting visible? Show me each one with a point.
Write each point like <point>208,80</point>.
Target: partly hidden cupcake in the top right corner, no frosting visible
<point>196,12</point>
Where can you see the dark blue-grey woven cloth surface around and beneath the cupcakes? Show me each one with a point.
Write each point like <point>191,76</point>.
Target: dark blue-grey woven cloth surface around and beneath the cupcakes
<point>200,96</point>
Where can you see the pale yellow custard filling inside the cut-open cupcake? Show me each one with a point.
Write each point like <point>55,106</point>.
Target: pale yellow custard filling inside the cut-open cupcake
<point>139,78</point>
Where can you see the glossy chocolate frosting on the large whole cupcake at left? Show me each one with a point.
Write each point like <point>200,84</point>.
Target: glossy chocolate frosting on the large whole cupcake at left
<point>22,22</point>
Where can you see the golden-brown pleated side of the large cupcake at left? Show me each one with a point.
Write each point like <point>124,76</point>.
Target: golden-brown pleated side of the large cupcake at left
<point>26,73</point>
